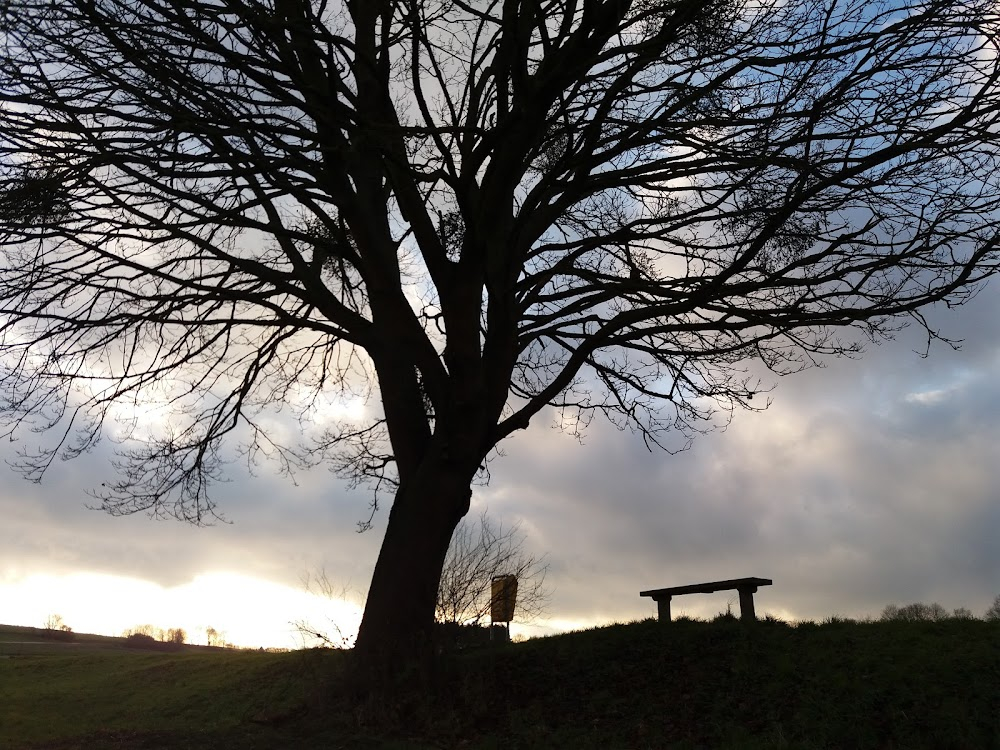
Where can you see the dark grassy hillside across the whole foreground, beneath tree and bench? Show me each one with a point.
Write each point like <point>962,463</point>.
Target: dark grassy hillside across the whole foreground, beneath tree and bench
<point>642,685</point>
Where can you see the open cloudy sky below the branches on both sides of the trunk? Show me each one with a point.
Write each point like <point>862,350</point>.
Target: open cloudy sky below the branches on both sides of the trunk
<point>868,482</point>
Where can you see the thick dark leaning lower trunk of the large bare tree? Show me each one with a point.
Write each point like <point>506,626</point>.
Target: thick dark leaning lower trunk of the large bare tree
<point>398,623</point>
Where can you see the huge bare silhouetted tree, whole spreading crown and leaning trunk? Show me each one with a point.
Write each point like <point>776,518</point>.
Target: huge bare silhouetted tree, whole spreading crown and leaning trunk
<point>465,212</point>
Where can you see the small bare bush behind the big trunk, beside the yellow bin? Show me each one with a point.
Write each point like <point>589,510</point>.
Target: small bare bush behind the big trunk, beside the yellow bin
<point>478,552</point>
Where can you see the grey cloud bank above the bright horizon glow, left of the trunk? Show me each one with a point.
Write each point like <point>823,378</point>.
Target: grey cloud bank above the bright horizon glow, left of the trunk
<point>277,530</point>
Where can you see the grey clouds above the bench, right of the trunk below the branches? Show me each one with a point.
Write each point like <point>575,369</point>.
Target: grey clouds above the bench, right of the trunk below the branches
<point>867,482</point>
